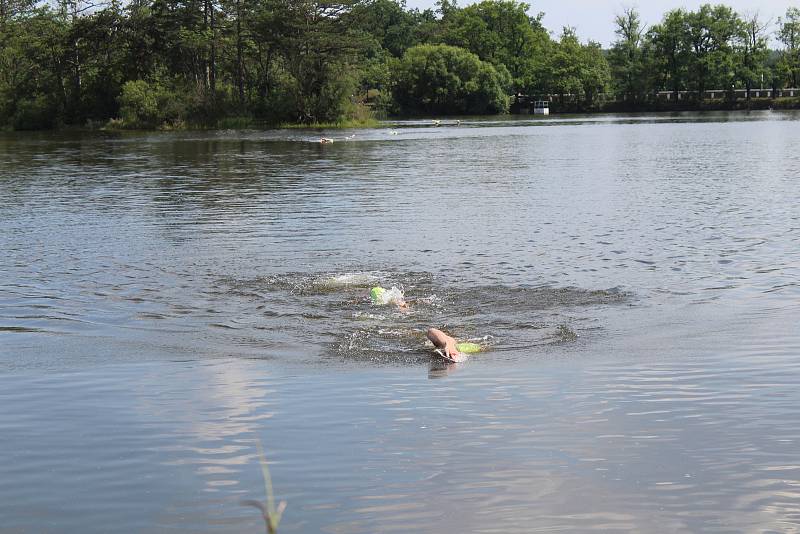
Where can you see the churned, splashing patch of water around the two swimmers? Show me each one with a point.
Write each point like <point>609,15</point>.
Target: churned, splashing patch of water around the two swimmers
<point>337,311</point>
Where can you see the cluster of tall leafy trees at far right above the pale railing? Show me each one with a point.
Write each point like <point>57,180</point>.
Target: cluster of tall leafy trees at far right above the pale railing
<point>711,48</point>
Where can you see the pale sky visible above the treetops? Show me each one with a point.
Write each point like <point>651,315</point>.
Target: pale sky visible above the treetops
<point>594,19</point>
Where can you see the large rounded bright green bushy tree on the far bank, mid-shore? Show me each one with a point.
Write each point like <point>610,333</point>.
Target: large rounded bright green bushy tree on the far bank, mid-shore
<point>443,79</point>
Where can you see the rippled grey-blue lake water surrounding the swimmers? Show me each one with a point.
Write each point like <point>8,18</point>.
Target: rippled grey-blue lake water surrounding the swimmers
<point>168,301</point>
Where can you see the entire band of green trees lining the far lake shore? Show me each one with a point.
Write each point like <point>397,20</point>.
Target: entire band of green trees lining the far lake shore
<point>170,63</point>
